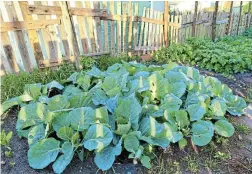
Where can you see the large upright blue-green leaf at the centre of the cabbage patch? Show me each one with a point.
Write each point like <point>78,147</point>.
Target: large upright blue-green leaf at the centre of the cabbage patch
<point>129,109</point>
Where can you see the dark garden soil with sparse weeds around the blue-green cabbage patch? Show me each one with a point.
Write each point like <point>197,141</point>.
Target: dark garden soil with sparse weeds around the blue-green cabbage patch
<point>232,156</point>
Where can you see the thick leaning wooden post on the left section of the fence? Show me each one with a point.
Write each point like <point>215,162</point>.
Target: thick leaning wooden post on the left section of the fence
<point>71,36</point>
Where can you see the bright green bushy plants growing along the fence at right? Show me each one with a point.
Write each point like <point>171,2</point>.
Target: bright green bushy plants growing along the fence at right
<point>228,55</point>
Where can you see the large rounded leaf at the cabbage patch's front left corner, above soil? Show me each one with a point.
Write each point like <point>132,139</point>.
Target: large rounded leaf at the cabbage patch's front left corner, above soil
<point>43,153</point>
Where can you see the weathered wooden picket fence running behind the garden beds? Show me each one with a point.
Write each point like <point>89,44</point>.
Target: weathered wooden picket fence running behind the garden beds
<point>44,34</point>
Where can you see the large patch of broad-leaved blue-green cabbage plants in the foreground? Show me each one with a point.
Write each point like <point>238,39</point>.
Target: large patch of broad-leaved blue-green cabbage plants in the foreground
<point>129,107</point>
